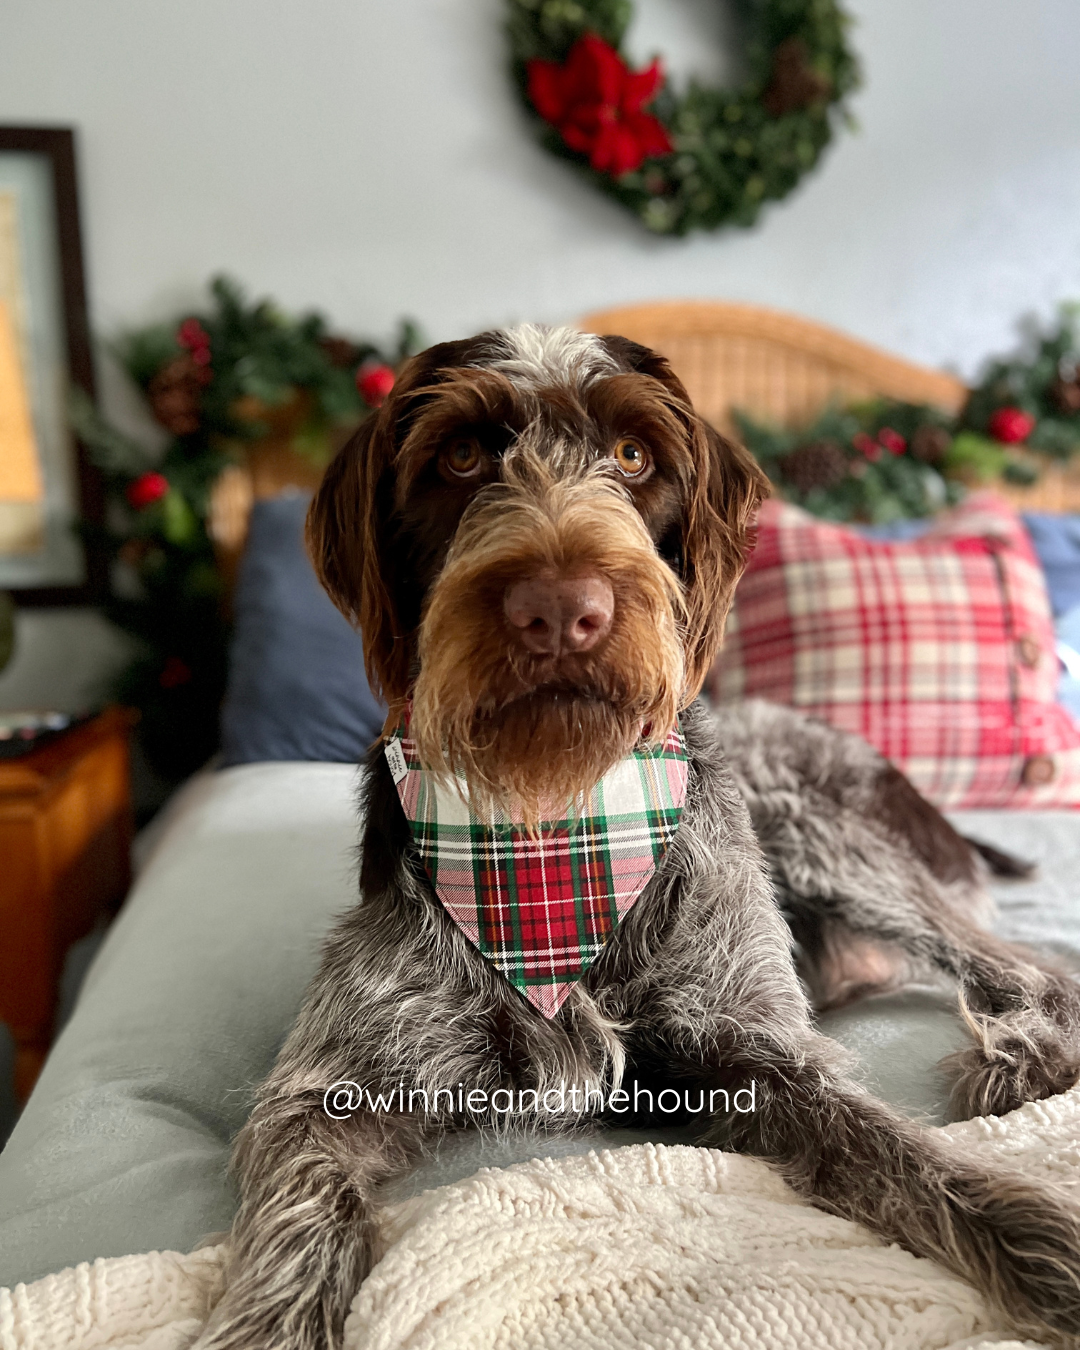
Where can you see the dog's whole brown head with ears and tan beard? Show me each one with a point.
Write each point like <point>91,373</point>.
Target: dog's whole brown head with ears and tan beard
<point>539,541</point>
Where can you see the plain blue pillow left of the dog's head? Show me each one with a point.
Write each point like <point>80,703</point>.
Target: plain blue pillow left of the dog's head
<point>296,684</point>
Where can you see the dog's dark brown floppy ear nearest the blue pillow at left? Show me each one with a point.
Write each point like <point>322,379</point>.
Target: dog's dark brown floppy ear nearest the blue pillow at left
<point>344,541</point>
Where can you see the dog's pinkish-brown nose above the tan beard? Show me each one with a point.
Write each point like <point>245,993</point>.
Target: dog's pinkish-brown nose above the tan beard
<point>557,615</point>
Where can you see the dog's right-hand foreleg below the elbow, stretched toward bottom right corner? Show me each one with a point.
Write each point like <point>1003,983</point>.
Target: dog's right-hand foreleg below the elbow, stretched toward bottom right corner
<point>1017,1241</point>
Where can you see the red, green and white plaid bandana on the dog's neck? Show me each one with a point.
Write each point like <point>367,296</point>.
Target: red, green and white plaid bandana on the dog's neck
<point>542,907</point>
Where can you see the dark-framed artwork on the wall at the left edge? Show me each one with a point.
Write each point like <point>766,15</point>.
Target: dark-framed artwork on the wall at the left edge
<point>47,483</point>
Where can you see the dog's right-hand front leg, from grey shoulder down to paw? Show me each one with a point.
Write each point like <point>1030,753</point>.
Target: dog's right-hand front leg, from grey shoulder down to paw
<point>726,1010</point>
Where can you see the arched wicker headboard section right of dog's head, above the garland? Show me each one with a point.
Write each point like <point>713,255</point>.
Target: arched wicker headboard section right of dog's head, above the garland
<point>774,367</point>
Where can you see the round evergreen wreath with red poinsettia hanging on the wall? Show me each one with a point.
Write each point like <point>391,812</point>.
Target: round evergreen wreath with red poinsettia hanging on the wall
<point>695,160</point>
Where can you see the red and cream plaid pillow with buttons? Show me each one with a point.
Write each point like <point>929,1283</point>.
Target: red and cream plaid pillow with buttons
<point>940,651</point>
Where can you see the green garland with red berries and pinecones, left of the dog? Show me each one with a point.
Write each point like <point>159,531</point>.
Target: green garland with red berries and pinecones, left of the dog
<point>214,381</point>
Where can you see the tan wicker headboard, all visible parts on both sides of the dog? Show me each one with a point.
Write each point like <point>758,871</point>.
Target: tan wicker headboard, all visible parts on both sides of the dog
<point>776,367</point>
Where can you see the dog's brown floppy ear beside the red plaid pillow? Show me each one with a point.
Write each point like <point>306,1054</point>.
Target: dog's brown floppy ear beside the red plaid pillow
<point>718,542</point>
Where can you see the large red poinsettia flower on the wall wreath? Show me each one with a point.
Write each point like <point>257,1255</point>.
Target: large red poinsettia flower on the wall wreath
<point>596,102</point>
